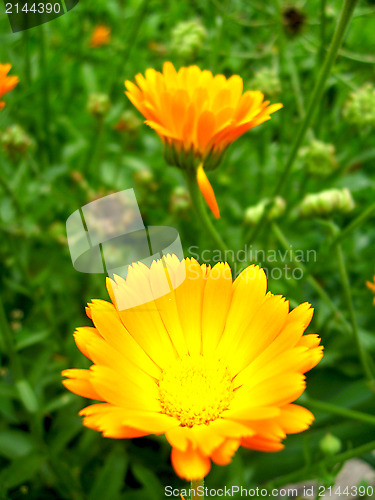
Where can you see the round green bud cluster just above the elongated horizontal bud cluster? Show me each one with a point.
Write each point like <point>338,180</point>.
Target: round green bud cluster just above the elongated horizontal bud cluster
<point>319,158</point>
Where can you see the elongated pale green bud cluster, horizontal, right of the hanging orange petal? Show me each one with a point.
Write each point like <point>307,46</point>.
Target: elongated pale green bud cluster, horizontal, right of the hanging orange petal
<point>325,203</point>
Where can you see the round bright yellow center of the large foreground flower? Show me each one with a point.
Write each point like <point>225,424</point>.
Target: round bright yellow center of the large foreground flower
<point>195,390</point>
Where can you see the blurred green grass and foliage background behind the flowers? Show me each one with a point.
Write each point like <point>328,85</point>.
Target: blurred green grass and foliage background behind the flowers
<point>73,157</point>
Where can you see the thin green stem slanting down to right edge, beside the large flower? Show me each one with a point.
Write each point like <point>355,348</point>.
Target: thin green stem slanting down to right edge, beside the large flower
<point>349,304</point>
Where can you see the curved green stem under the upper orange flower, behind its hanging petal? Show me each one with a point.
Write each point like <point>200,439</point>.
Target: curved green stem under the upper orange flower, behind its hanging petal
<point>204,219</point>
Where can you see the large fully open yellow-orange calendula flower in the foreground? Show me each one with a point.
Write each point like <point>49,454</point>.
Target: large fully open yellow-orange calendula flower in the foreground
<point>212,364</point>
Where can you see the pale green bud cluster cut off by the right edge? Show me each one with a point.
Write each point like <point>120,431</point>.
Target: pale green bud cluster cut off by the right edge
<point>359,109</point>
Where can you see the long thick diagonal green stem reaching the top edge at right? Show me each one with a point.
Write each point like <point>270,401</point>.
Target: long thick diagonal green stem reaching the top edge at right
<point>316,95</point>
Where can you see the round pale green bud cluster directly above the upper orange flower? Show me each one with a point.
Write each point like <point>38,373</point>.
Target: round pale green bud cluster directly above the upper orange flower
<point>187,38</point>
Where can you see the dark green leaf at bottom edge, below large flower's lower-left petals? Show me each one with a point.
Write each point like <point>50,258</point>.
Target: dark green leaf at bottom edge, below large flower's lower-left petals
<point>111,478</point>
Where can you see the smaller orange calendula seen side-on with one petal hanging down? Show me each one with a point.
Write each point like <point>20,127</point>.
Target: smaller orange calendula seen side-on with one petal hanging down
<point>197,115</point>
